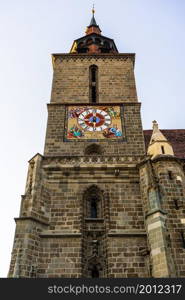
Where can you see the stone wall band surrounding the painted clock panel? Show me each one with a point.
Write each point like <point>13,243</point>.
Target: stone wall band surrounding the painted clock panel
<point>133,144</point>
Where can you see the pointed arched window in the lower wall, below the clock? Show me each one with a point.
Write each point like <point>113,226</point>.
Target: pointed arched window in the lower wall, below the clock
<point>93,203</point>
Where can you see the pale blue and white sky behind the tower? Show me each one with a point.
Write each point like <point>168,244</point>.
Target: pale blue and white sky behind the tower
<point>31,30</point>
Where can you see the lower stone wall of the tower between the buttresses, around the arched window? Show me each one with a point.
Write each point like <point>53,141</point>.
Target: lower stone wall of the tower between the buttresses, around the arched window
<point>121,229</point>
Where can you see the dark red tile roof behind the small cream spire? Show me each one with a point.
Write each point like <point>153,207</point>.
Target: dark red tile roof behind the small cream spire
<point>175,136</point>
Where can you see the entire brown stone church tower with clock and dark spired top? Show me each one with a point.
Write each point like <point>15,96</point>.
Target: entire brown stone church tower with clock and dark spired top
<point>96,204</point>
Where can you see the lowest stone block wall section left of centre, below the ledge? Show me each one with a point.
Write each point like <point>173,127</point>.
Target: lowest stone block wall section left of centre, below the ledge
<point>60,257</point>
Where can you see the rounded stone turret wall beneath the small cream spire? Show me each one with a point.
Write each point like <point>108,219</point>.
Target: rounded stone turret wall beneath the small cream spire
<point>172,187</point>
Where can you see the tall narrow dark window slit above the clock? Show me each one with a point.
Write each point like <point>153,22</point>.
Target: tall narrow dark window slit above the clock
<point>93,84</point>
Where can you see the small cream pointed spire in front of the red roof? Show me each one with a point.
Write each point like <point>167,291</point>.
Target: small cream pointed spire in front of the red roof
<point>159,145</point>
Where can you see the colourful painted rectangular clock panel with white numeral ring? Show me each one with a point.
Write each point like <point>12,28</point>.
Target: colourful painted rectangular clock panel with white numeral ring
<point>94,122</point>
